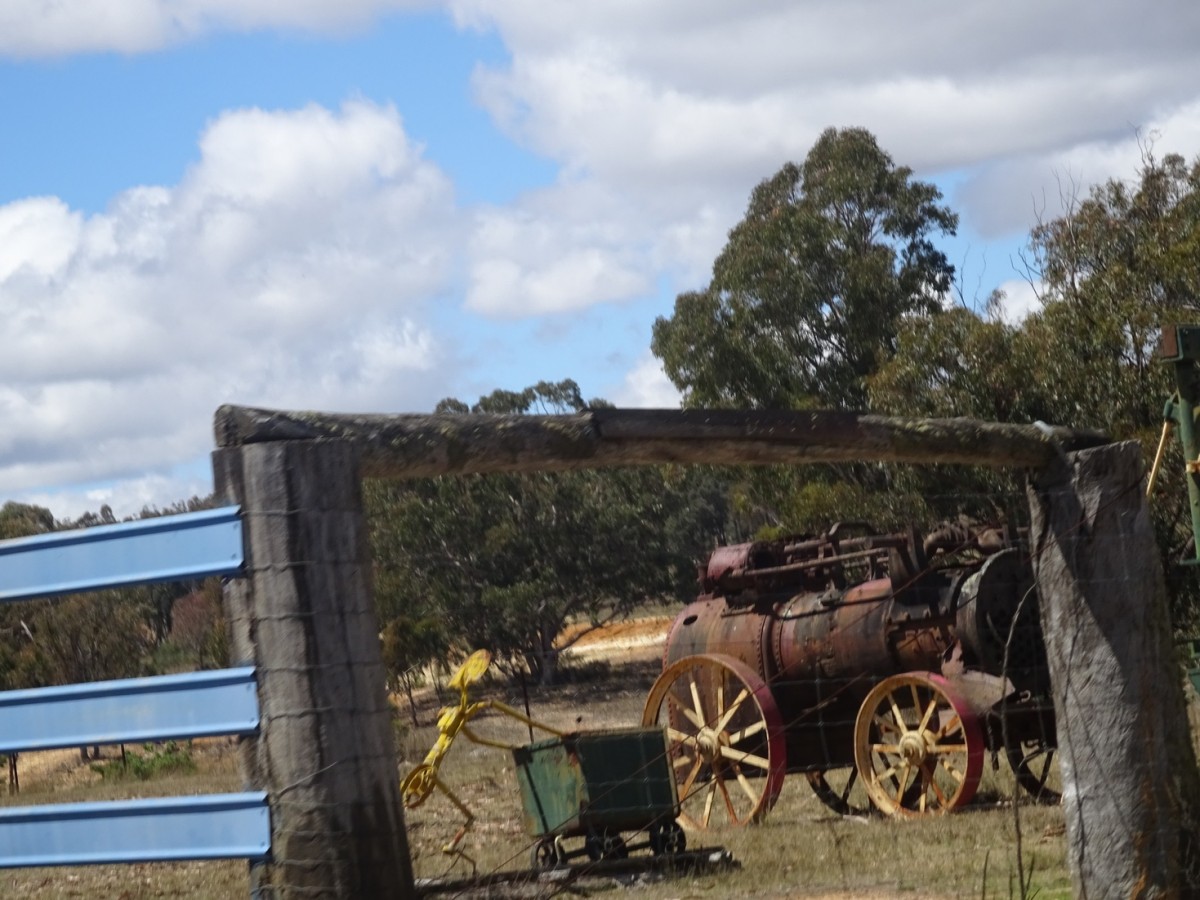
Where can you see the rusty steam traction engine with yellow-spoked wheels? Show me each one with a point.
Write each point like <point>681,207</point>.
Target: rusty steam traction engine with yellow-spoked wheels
<point>884,668</point>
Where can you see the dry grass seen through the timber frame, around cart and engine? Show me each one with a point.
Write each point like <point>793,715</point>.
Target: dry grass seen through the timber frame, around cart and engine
<point>802,849</point>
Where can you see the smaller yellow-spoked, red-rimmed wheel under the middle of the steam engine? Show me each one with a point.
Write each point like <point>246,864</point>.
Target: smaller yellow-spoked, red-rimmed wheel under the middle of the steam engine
<point>919,748</point>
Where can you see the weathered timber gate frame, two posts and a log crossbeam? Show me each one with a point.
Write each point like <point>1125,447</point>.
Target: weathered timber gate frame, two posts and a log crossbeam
<point>303,616</point>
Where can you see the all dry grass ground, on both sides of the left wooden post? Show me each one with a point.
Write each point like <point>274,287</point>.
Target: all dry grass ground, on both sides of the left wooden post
<point>801,851</point>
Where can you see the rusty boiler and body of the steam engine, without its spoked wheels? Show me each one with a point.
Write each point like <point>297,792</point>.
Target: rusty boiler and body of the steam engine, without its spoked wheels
<point>824,620</point>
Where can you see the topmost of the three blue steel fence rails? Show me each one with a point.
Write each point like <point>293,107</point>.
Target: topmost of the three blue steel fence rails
<point>193,545</point>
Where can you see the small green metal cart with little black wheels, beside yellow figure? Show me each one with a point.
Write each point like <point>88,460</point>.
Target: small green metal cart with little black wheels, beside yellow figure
<point>597,785</point>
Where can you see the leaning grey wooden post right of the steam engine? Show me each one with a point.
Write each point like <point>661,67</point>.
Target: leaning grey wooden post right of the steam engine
<point>1132,793</point>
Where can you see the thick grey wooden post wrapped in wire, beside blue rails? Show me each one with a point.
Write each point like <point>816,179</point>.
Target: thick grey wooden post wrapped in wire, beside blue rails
<point>304,617</point>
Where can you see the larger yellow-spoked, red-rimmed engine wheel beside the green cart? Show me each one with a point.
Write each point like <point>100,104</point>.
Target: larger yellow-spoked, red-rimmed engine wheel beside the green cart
<point>725,736</point>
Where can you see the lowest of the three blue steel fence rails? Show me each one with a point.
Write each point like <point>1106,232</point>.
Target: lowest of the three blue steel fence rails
<point>233,826</point>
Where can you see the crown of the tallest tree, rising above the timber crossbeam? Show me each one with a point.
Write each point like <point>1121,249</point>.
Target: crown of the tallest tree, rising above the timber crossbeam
<point>808,295</point>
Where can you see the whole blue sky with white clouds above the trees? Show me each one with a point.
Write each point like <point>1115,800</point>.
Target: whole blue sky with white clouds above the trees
<point>370,206</point>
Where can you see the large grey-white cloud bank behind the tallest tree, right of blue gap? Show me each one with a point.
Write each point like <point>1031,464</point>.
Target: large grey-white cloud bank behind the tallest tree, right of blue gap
<point>665,115</point>
